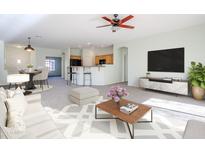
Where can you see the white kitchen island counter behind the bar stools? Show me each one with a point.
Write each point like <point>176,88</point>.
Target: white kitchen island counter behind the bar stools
<point>99,73</point>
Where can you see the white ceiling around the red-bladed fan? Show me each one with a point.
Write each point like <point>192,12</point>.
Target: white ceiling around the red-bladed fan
<point>62,31</point>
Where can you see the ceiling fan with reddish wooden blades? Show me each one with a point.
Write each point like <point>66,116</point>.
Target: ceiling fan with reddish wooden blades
<point>117,23</point>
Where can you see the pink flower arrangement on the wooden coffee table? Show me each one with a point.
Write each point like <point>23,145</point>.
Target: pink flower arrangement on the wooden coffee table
<point>117,92</point>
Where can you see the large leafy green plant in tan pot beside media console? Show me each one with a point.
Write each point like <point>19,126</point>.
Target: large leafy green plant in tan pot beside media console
<point>197,80</point>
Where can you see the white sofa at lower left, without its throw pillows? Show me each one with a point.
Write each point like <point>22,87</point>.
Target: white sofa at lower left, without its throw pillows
<point>38,123</point>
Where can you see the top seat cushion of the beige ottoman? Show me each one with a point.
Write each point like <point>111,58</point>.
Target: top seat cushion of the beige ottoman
<point>84,92</point>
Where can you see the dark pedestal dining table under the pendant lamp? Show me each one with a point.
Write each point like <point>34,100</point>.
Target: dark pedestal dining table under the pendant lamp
<point>30,84</point>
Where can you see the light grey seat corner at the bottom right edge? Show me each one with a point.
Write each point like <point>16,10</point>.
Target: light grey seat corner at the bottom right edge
<point>194,130</point>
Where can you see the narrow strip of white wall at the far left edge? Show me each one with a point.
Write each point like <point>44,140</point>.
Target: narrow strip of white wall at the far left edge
<point>3,72</point>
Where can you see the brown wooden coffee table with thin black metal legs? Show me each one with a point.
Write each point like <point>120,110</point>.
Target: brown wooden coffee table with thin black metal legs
<point>114,109</point>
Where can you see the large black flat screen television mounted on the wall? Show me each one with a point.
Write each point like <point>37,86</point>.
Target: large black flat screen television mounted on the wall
<point>168,60</point>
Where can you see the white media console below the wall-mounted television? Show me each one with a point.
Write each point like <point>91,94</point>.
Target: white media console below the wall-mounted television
<point>164,84</point>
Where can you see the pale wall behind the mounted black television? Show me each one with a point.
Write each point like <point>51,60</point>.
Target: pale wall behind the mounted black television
<point>191,38</point>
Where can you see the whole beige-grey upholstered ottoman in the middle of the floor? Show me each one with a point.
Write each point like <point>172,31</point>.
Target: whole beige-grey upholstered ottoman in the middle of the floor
<point>84,95</point>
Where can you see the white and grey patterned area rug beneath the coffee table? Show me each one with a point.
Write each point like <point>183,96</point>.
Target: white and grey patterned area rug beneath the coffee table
<point>76,121</point>
